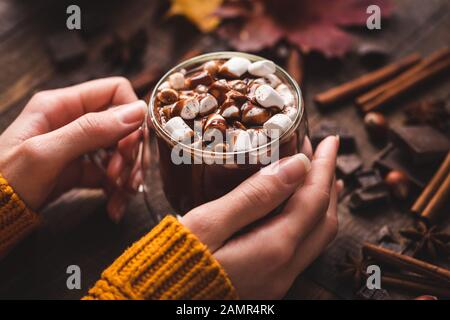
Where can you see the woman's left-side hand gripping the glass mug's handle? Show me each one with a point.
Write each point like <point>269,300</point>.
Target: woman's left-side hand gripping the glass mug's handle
<point>42,153</point>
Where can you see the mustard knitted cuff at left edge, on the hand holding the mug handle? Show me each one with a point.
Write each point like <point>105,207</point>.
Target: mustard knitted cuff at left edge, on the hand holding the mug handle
<point>16,220</point>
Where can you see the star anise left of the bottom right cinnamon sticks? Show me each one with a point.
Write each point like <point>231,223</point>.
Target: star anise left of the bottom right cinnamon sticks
<point>353,269</point>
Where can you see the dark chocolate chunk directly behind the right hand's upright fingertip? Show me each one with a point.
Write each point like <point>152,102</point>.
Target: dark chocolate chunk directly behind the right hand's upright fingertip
<point>328,128</point>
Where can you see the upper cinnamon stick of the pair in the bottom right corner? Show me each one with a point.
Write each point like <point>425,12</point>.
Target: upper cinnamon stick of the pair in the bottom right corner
<point>407,263</point>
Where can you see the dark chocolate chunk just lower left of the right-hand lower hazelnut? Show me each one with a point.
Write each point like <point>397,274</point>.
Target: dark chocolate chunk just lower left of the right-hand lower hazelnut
<point>364,198</point>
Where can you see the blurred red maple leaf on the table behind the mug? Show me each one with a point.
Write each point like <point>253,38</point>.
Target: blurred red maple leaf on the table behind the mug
<point>308,24</point>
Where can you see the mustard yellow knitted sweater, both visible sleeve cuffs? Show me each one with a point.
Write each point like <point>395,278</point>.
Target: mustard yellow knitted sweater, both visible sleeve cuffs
<point>167,263</point>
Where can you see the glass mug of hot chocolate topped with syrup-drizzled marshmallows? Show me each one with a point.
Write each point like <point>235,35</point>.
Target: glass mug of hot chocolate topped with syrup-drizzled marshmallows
<point>213,109</point>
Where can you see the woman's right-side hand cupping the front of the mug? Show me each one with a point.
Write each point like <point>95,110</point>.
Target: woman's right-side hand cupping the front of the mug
<point>263,257</point>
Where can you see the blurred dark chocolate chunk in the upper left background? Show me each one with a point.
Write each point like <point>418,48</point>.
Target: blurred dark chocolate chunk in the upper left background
<point>66,48</point>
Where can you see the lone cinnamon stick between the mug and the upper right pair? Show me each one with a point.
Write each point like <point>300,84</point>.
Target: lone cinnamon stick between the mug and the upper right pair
<point>366,81</point>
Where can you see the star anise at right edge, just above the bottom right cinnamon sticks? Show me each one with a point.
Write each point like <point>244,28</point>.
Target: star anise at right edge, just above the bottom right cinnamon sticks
<point>428,242</point>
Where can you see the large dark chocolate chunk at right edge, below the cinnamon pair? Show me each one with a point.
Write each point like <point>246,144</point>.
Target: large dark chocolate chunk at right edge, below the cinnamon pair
<point>420,144</point>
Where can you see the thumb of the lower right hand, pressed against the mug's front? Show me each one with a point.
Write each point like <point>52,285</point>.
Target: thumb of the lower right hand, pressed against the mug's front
<point>216,221</point>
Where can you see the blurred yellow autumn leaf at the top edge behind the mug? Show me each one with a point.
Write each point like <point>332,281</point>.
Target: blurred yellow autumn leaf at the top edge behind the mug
<point>199,12</point>
